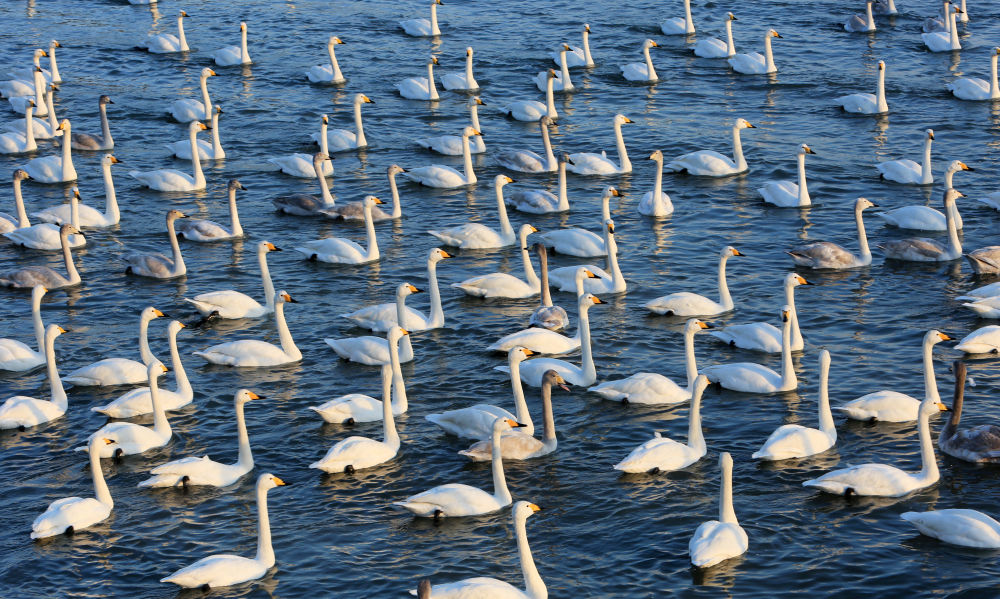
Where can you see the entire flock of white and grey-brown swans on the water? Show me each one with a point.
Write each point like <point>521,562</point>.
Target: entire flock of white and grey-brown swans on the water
<point>537,353</point>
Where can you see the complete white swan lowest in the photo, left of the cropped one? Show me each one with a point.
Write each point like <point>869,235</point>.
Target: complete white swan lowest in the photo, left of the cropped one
<point>224,570</point>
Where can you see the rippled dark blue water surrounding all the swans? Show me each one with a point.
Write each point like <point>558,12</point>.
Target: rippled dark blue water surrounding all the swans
<point>600,534</point>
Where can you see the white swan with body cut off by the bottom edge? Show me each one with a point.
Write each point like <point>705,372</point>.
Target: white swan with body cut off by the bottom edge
<point>491,587</point>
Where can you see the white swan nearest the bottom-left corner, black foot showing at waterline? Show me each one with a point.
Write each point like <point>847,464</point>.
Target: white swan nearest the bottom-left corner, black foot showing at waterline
<point>70,514</point>
